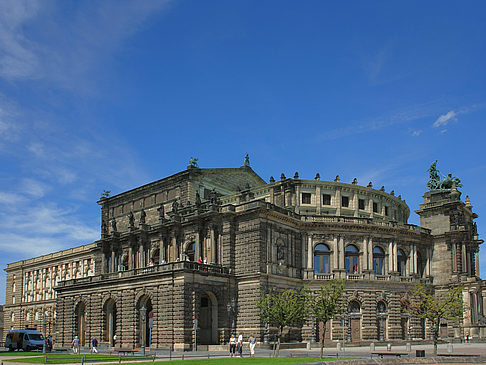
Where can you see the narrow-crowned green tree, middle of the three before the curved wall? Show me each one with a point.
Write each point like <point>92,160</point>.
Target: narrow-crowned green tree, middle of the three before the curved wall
<point>325,303</point>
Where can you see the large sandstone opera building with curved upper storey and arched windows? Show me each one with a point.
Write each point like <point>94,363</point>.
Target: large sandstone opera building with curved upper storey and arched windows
<point>250,236</point>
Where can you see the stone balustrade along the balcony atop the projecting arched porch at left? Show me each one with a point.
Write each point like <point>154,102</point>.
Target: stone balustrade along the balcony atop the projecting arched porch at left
<point>150,270</point>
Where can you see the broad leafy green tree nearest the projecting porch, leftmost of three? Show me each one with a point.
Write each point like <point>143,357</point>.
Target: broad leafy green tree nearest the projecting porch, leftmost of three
<point>283,309</point>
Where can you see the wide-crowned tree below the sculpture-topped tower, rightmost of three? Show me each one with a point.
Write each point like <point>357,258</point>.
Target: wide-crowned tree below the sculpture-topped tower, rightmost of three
<point>442,305</point>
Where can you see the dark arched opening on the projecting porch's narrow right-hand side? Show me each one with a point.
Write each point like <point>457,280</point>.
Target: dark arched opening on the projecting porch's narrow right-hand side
<point>208,319</point>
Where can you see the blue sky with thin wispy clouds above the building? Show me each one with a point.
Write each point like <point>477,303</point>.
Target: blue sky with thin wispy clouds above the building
<point>110,95</point>
